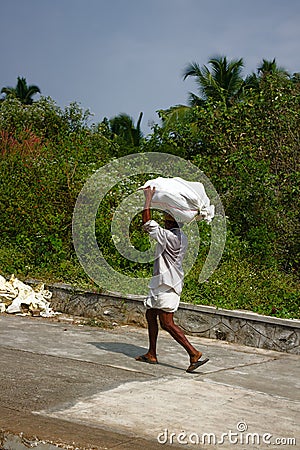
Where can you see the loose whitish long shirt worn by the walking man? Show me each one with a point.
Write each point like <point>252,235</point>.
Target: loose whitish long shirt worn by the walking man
<point>169,254</point>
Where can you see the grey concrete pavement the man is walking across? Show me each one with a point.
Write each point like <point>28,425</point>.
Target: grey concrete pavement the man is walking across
<point>68,385</point>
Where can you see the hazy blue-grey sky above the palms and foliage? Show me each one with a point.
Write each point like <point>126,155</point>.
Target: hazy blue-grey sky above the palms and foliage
<point>115,56</point>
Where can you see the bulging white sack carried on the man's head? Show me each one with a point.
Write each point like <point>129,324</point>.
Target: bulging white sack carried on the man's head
<point>184,200</point>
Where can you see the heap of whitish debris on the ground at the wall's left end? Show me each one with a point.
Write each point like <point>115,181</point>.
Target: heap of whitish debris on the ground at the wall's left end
<point>17,297</point>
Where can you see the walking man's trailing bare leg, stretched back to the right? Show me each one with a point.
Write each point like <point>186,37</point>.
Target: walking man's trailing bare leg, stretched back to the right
<point>167,323</point>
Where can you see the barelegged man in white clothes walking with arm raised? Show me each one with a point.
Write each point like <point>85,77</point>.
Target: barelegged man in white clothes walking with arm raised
<point>166,284</point>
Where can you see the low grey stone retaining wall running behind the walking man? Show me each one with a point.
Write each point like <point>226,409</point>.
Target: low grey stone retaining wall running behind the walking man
<point>242,327</point>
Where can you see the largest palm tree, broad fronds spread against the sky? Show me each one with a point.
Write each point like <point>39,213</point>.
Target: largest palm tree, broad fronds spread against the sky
<point>221,82</point>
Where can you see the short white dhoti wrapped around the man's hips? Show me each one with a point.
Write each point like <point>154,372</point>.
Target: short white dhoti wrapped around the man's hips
<point>163,297</point>
